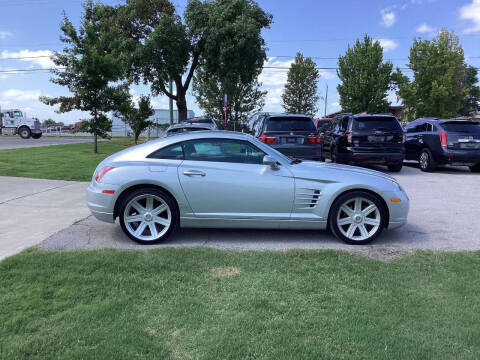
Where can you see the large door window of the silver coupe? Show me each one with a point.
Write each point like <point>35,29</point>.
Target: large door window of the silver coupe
<point>222,150</point>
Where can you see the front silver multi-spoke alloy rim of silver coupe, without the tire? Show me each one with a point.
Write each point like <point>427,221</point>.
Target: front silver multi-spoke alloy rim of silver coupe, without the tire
<point>358,219</point>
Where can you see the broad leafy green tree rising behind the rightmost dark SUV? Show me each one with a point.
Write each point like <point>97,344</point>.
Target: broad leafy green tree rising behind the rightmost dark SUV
<point>438,86</point>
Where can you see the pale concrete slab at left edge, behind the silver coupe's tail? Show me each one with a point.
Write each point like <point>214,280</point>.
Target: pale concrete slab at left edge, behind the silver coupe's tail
<point>32,210</point>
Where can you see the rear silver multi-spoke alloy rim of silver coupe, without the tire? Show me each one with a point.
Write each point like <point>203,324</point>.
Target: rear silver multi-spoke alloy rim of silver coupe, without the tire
<point>147,217</point>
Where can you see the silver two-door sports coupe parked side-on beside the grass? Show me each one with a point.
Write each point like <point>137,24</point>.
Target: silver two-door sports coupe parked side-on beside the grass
<point>220,179</point>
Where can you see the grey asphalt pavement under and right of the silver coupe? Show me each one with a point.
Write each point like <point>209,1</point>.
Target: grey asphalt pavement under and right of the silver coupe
<point>443,216</point>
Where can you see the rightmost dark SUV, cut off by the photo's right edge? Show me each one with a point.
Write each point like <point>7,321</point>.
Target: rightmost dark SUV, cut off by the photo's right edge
<point>434,142</point>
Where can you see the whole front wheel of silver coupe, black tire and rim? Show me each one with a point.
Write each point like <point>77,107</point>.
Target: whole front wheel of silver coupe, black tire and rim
<point>362,223</point>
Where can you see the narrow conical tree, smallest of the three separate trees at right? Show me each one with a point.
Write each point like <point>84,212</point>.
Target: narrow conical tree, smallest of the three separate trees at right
<point>300,92</point>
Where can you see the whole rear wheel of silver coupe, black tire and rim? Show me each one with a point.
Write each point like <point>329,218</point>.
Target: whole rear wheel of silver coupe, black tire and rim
<point>143,231</point>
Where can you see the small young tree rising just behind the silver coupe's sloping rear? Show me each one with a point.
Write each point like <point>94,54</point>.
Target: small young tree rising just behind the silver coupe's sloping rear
<point>137,118</point>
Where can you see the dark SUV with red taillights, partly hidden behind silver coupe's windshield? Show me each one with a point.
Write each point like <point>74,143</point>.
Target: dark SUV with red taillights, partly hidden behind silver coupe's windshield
<point>294,135</point>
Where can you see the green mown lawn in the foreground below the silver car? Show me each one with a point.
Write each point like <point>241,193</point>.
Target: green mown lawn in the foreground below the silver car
<point>172,304</point>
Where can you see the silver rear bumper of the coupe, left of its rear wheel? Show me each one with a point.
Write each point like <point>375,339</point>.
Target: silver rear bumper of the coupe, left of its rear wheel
<point>100,204</point>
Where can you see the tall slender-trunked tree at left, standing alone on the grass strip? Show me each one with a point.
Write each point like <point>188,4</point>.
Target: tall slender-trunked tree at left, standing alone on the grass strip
<point>91,70</point>
